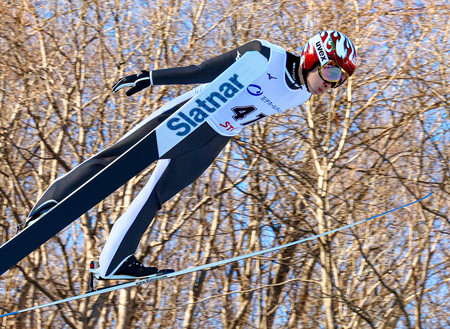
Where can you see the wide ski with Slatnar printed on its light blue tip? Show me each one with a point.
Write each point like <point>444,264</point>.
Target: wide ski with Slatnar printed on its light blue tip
<point>228,85</point>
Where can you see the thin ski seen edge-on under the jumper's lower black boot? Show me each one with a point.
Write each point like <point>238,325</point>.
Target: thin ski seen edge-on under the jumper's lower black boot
<point>158,277</point>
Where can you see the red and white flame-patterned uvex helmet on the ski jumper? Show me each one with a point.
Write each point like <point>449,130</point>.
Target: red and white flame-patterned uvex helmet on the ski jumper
<point>330,47</point>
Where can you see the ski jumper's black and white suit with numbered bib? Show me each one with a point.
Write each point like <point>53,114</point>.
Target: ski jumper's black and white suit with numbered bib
<point>278,89</point>
